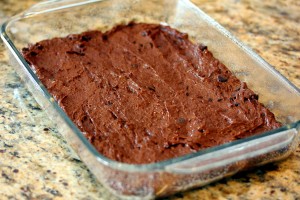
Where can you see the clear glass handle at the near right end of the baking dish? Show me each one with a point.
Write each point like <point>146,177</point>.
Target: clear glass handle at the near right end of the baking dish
<point>257,151</point>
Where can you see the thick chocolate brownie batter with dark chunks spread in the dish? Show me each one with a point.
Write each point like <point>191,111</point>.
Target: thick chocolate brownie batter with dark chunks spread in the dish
<point>144,93</point>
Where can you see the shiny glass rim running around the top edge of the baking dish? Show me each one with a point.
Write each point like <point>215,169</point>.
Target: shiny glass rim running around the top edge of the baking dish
<point>161,165</point>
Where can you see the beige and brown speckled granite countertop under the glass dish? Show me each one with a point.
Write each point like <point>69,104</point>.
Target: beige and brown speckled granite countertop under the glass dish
<point>36,162</point>
